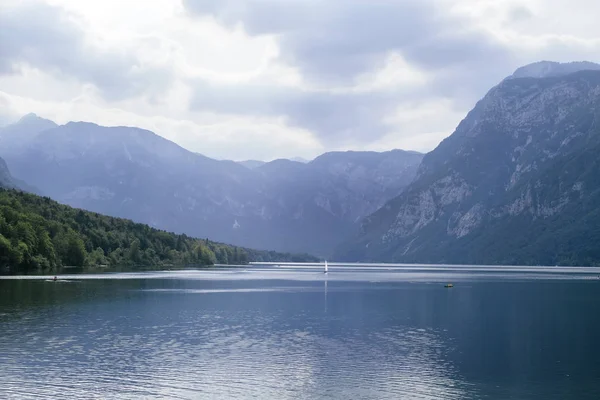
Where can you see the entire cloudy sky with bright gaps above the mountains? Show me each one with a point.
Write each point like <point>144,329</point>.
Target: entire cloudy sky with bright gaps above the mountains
<point>266,79</point>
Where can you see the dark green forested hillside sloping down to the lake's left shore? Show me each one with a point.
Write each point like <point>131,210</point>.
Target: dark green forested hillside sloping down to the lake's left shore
<point>37,233</point>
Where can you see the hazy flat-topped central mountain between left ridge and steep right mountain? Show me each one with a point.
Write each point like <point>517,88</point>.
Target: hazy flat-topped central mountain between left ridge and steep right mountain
<point>326,198</point>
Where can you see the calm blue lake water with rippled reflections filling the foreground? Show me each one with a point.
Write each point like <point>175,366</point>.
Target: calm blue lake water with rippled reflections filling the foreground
<point>278,333</point>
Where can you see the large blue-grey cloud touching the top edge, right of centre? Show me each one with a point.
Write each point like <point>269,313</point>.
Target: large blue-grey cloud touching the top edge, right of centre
<point>337,40</point>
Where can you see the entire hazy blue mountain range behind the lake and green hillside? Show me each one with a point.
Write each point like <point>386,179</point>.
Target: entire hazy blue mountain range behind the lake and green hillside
<point>518,182</point>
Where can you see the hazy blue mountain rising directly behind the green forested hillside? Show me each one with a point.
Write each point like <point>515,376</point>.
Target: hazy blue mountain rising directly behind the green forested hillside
<point>135,174</point>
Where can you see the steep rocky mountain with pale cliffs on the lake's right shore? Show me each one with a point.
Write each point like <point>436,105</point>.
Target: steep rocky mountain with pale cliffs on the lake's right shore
<point>518,182</point>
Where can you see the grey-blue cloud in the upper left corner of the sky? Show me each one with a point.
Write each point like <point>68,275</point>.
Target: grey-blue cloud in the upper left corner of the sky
<point>47,37</point>
